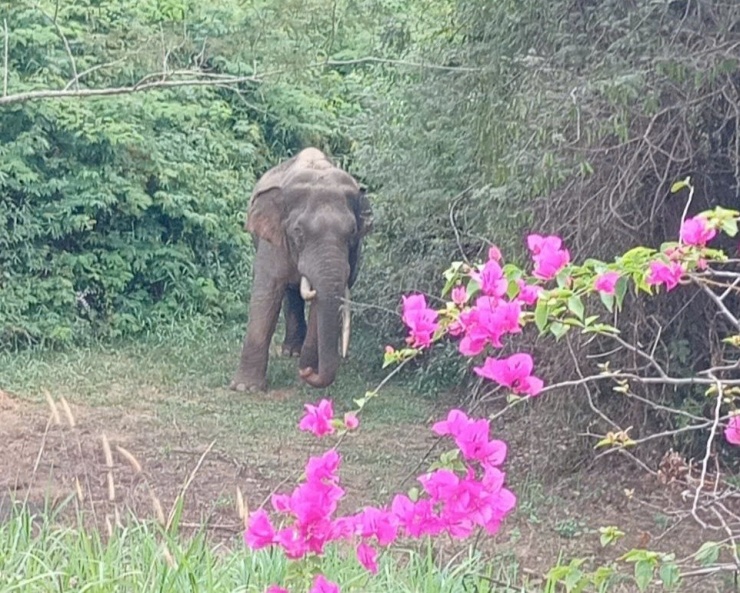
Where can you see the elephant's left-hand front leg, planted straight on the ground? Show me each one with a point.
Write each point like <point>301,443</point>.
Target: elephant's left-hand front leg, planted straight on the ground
<point>264,310</point>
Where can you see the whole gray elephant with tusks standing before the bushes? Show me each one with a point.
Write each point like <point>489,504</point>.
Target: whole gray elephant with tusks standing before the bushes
<point>307,218</point>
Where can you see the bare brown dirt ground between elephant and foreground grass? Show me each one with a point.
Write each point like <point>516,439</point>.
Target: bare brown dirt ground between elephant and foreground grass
<point>110,461</point>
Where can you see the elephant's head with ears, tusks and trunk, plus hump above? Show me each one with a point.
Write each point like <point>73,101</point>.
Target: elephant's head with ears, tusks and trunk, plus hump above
<point>315,215</point>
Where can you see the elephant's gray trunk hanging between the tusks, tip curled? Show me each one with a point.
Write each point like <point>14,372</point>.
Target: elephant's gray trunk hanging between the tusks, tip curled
<point>327,302</point>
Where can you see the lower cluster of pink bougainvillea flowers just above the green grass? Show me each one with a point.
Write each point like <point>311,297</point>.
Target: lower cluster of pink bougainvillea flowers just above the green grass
<point>453,504</point>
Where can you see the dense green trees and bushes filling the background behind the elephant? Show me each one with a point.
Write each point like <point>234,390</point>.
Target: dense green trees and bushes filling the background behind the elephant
<point>471,122</point>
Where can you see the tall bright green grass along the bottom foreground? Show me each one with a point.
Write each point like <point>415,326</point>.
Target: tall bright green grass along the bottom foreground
<point>37,555</point>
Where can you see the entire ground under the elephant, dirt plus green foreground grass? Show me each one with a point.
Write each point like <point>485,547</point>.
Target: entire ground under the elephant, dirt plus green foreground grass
<point>143,443</point>
